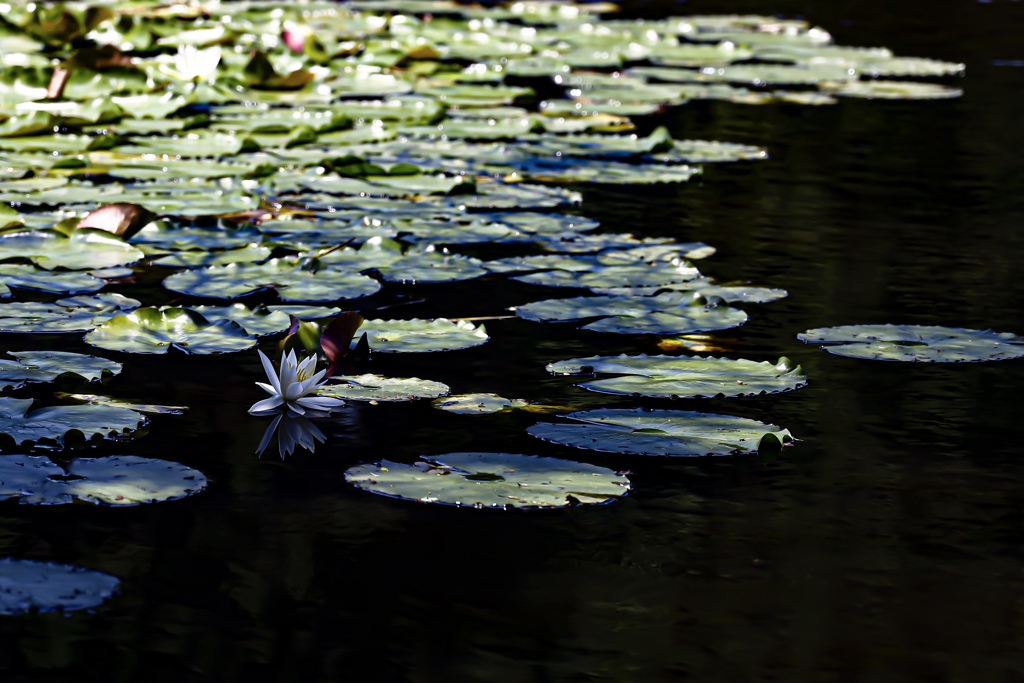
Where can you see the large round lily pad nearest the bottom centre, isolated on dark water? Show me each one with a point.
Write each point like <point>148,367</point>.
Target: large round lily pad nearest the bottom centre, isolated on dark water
<point>498,481</point>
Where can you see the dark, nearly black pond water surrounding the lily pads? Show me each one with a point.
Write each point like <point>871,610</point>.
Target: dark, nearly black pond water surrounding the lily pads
<point>885,546</point>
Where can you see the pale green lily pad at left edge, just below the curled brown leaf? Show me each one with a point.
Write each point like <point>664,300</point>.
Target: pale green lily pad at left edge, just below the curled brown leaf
<point>84,250</point>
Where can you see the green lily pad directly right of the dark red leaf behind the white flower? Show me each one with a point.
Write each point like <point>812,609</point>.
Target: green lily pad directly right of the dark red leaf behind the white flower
<point>416,336</point>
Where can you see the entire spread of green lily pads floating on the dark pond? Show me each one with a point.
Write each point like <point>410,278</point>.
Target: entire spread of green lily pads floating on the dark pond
<point>308,154</point>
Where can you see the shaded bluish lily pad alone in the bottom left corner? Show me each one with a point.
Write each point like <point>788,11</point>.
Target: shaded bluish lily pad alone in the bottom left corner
<point>28,587</point>
